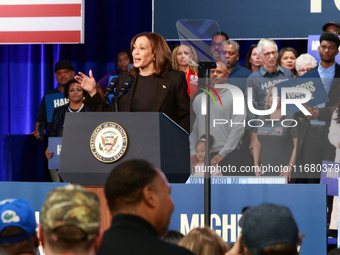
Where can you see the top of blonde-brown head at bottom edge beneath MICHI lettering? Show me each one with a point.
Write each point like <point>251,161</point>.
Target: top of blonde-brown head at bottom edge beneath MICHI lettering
<point>204,241</point>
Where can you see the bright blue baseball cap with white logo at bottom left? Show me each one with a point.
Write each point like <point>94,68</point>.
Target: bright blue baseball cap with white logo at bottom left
<point>17,213</point>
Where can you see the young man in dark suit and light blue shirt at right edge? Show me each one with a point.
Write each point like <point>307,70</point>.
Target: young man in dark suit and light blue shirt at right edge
<point>313,143</point>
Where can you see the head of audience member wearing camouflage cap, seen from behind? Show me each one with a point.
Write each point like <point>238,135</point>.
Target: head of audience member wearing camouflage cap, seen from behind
<point>70,221</point>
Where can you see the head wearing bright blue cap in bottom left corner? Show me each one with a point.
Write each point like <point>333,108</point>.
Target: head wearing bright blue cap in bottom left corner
<point>17,227</point>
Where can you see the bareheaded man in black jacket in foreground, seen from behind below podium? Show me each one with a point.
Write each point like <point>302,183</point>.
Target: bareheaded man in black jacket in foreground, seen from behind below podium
<point>138,196</point>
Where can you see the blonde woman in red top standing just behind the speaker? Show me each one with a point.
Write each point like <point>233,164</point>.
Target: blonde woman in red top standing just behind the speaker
<point>184,58</point>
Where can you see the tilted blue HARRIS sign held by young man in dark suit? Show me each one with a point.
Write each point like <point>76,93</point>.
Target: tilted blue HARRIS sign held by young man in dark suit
<point>309,81</point>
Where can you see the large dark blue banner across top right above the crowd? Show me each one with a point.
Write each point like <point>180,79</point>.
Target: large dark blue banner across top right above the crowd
<point>248,19</point>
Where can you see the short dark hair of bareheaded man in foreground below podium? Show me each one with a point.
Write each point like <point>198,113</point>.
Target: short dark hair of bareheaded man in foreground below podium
<point>124,185</point>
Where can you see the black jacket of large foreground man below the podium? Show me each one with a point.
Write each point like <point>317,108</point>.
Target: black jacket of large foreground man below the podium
<point>130,235</point>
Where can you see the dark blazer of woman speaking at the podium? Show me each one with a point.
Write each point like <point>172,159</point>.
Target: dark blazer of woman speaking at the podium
<point>171,97</point>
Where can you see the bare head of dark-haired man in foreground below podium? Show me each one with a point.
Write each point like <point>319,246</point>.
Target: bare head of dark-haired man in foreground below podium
<point>137,187</point>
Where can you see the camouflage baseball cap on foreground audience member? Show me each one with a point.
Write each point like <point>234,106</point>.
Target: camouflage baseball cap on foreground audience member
<point>71,205</point>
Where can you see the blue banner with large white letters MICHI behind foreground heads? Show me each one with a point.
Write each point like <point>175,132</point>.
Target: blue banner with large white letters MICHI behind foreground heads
<point>306,202</point>
